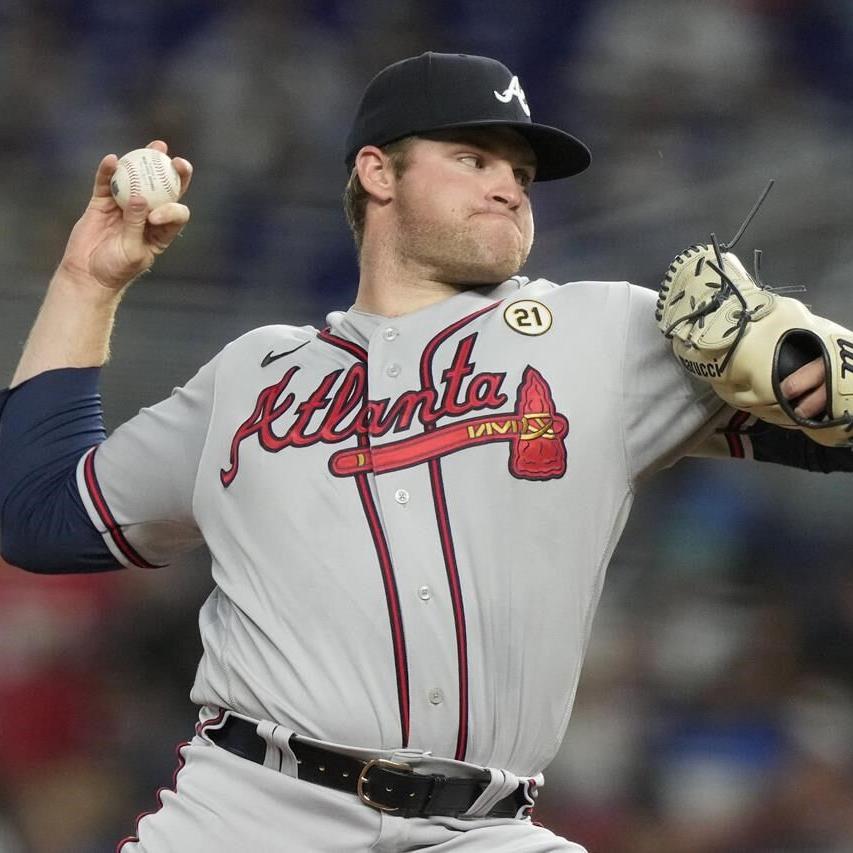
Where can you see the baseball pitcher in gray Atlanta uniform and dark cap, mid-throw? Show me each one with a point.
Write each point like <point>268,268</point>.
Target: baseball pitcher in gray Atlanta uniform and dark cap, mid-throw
<point>409,511</point>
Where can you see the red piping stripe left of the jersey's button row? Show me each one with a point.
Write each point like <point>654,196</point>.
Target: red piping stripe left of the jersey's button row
<point>392,597</point>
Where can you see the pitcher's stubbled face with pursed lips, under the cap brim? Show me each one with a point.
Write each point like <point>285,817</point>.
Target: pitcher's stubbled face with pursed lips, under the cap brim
<point>462,205</point>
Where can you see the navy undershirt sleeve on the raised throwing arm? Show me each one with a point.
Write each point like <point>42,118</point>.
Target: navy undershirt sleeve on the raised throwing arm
<point>46,424</point>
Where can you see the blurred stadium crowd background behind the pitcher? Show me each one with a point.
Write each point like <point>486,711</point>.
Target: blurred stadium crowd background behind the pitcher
<point>716,709</point>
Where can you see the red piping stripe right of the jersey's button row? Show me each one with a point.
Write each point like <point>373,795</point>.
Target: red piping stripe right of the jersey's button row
<point>446,536</point>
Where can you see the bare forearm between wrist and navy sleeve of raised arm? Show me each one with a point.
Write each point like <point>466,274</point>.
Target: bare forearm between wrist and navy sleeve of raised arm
<point>72,329</point>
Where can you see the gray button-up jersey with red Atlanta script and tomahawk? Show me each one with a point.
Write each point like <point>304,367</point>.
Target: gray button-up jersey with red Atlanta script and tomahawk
<point>409,518</point>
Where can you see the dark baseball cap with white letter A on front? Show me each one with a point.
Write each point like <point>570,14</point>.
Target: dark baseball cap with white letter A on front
<point>438,91</point>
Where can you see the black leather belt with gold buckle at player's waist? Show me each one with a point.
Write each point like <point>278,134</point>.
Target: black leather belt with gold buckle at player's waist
<point>390,786</point>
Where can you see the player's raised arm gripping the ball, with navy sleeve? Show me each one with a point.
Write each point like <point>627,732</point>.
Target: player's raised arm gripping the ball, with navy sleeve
<point>51,415</point>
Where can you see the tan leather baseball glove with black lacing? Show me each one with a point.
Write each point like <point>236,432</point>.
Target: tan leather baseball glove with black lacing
<point>744,339</point>
